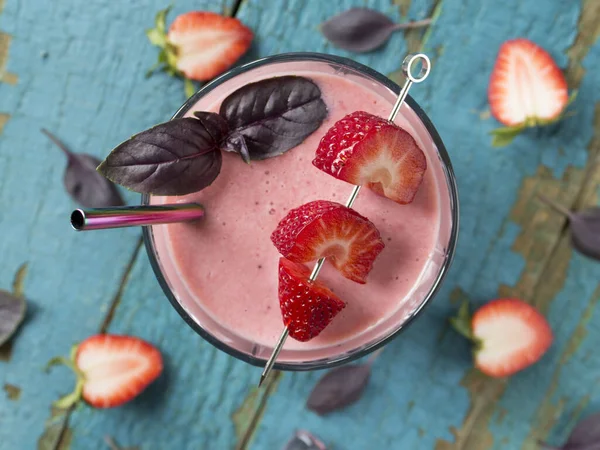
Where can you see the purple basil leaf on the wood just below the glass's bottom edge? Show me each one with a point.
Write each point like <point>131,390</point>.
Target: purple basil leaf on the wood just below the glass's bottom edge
<point>339,388</point>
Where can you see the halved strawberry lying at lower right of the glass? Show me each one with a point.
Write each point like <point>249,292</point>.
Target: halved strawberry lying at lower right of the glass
<point>509,335</point>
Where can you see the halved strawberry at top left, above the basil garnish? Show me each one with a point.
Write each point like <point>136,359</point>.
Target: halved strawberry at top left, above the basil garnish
<point>199,44</point>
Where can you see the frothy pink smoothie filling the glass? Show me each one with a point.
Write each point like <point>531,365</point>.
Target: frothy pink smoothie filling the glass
<point>224,269</point>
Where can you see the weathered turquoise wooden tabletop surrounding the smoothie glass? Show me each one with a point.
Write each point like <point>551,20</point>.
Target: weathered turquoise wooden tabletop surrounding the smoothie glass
<point>80,72</point>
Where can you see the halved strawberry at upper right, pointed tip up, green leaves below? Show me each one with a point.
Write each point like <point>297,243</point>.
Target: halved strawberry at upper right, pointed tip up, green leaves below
<point>526,89</point>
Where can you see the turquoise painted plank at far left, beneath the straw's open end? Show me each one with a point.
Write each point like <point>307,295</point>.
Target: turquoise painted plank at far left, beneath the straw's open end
<point>76,68</point>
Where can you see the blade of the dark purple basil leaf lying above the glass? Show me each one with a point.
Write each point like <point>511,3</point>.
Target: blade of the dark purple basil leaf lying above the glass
<point>358,30</point>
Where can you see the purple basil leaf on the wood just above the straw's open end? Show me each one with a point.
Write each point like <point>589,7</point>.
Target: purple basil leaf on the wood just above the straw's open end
<point>86,186</point>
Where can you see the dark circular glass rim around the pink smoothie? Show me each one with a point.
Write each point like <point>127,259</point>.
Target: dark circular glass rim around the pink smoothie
<point>454,212</point>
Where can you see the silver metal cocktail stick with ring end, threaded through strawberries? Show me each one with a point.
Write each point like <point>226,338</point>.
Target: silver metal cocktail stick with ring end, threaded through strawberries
<point>409,63</point>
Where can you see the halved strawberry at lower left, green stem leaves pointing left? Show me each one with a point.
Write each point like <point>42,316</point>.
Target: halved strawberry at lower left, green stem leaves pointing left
<point>110,370</point>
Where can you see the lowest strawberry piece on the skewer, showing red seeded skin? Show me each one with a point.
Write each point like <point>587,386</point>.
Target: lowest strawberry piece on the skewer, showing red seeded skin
<point>307,308</point>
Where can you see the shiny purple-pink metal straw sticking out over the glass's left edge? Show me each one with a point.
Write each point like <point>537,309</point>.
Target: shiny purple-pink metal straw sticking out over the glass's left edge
<point>131,216</point>
